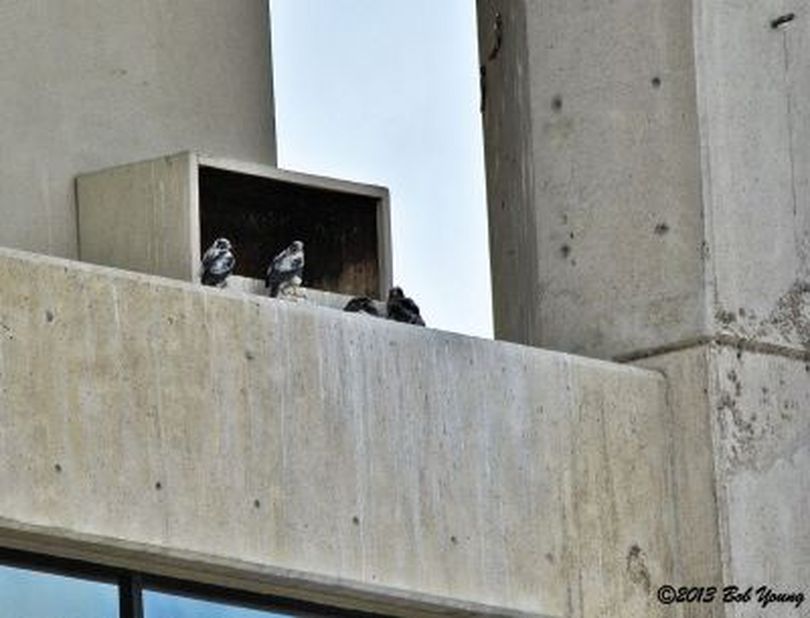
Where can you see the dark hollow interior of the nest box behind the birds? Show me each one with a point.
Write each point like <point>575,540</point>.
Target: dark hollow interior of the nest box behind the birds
<point>343,226</point>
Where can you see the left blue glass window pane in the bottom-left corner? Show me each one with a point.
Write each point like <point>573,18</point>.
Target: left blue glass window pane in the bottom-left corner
<point>33,594</point>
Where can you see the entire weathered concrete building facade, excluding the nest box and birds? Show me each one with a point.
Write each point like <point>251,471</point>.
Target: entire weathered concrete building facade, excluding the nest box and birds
<point>645,169</point>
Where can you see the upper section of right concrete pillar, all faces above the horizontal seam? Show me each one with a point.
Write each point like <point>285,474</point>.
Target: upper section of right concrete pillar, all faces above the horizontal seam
<point>649,174</point>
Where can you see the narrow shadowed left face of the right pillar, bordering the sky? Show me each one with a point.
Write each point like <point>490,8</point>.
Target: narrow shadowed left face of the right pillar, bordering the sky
<point>507,118</point>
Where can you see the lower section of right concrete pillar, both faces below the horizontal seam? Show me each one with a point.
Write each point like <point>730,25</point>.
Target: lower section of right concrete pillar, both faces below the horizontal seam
<point>742,470</point>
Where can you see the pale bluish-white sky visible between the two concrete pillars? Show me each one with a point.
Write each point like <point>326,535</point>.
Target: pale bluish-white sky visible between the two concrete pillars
<point>386,92</point>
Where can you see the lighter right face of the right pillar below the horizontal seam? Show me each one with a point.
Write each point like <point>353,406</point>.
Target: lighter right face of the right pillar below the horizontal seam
<point>761,424</point>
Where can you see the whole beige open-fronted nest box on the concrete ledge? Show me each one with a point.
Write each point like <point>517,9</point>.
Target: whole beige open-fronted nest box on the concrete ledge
<point>158,216</point>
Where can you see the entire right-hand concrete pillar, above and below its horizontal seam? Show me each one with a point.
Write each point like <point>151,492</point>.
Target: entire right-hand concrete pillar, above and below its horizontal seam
<point>648,169</point>
